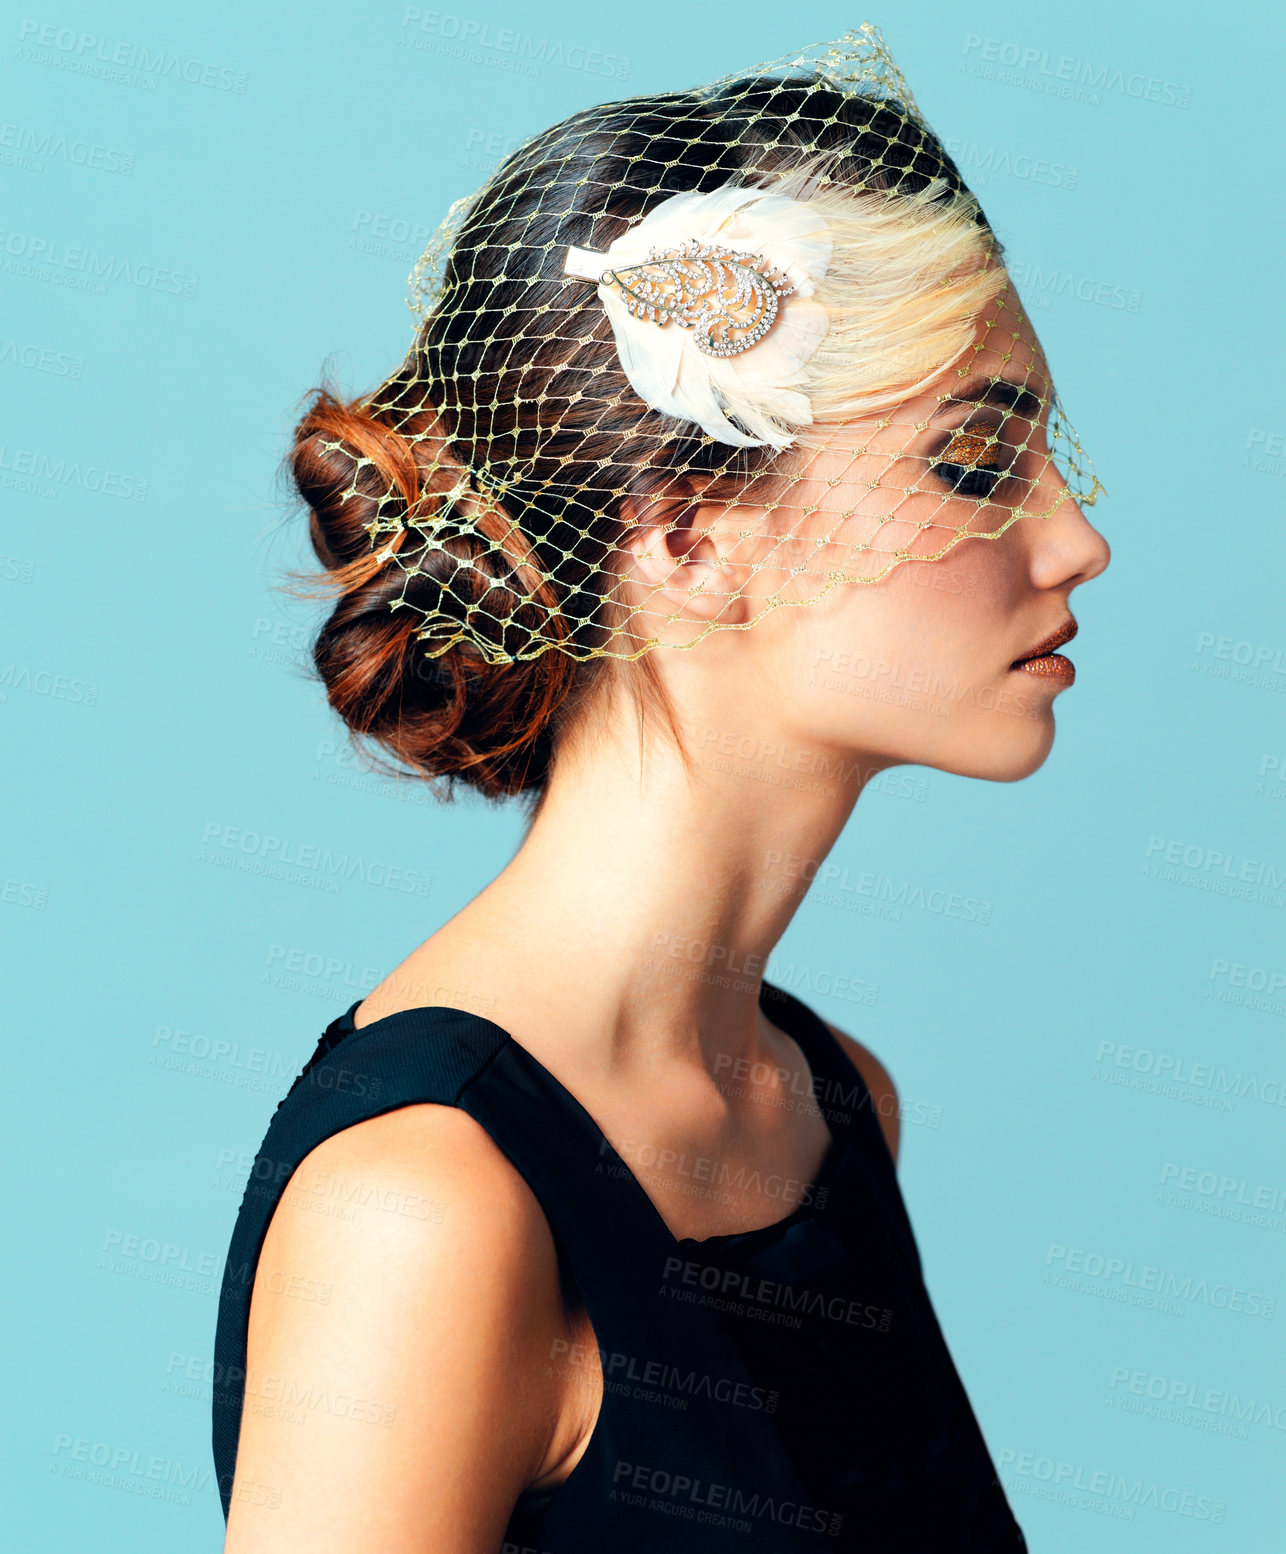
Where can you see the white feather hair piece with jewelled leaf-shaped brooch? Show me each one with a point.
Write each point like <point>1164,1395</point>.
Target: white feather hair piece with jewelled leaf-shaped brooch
<point>754,383</point>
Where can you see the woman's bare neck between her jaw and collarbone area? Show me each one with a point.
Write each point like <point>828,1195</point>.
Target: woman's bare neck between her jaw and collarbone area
<point>645,902</point>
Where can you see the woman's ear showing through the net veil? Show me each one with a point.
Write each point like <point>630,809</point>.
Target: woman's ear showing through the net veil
<point>675,557</point>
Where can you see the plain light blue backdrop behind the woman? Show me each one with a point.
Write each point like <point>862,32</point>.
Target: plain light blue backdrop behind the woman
<point>266,197</point>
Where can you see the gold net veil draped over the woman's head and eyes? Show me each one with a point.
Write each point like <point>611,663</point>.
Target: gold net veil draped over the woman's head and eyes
<point>692,357</point>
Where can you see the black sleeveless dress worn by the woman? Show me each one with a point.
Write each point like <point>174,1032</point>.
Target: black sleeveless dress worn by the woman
<point>776,1392</point>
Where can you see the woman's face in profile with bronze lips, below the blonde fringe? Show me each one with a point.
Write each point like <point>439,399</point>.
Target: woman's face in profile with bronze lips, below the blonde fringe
<point>920,666</point>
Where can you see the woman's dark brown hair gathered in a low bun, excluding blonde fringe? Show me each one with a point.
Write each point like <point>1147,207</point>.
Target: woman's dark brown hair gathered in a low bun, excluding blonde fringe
<point>551,416</point>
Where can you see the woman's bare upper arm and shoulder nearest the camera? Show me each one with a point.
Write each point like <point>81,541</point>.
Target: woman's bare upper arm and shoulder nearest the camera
<point>398,1388</point>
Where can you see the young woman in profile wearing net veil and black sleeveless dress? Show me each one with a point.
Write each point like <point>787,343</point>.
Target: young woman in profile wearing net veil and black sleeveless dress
<point>577,1235</point>
